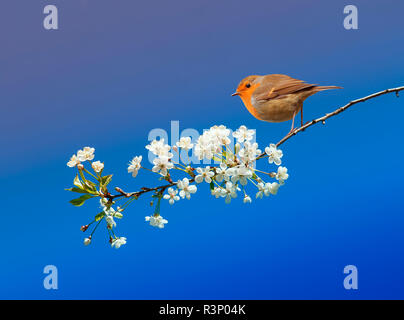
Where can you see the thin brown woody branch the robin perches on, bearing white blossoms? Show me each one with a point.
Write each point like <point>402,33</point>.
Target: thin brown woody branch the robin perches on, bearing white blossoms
<point>283,140</point>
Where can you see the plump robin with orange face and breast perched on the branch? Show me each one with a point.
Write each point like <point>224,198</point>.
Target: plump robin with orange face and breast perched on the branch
<point>276,97</point>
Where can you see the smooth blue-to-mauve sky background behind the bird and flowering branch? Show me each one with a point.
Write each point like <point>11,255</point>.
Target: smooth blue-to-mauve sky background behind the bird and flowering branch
<point>115,70</point>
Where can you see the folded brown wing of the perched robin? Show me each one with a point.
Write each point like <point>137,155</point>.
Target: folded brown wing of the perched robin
<point>277,86</point>
